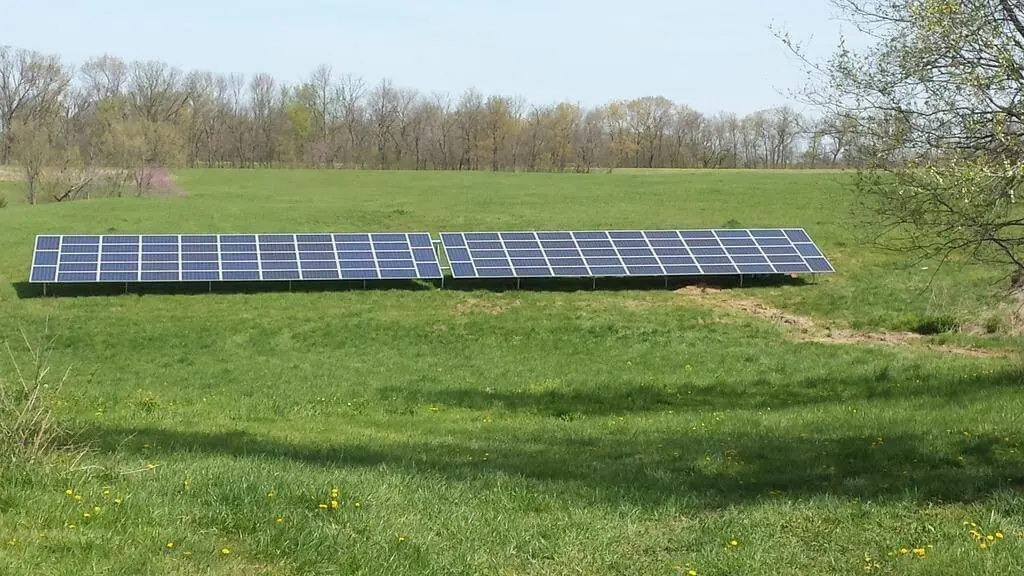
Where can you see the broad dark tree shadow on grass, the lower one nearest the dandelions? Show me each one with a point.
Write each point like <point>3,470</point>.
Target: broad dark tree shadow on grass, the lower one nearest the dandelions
<point>701,470</point>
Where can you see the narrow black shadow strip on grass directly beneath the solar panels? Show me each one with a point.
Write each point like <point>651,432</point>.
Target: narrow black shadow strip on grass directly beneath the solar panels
<point>28,291</point>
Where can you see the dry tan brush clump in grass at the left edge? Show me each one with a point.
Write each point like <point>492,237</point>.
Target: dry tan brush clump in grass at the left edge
<point>28,428</point>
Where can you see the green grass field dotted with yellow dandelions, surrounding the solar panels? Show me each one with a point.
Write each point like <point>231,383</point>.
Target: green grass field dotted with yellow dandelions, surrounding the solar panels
<point>480,430</point>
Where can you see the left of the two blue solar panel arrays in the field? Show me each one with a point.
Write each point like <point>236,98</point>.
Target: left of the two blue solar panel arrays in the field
<point>212,258</point>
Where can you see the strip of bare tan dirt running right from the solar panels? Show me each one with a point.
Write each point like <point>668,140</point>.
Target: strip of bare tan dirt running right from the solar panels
<point>807,331</point>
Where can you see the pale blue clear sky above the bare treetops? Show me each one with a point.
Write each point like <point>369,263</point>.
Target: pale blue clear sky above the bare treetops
<point>712,56</point>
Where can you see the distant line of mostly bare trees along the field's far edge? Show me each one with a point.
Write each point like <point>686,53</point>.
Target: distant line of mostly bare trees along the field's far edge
<point>137,115</point>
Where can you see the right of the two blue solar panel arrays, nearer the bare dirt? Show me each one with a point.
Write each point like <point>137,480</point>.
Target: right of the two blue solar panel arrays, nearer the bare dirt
<point>617,254</point>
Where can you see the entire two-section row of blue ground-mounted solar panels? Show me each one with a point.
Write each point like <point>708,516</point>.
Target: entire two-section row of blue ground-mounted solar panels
<point>365,257</point>
